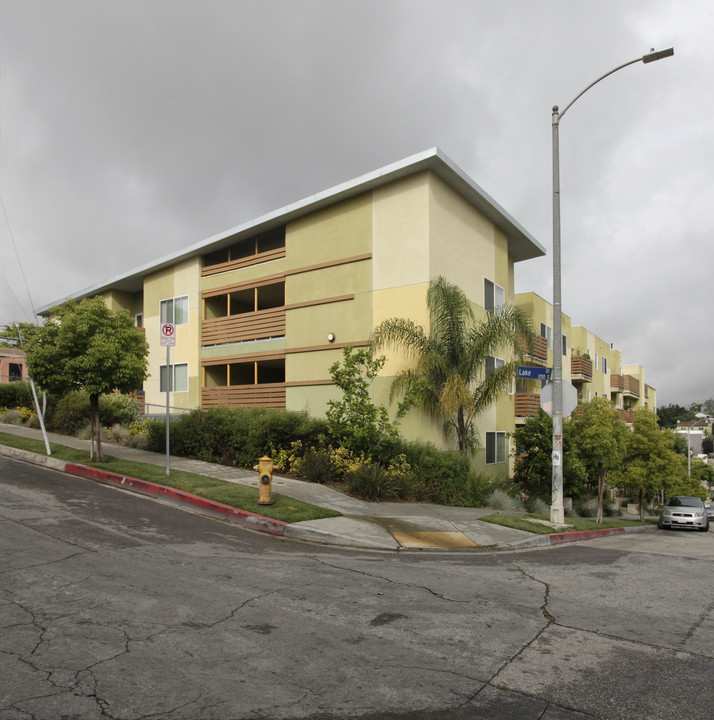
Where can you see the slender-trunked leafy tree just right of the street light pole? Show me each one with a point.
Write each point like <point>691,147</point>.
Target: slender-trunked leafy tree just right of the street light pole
<point>599,440</point>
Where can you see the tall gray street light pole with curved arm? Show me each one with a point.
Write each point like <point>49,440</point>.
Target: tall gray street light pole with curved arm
<point>557,510</point>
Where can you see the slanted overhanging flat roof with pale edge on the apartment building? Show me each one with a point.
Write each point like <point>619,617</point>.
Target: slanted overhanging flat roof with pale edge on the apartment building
<point>521,244</point>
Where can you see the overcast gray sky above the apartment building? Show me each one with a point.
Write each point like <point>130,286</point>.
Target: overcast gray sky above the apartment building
<point>131,129</point>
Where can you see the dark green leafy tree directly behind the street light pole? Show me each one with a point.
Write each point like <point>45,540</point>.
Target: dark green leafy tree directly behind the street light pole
<point>534,468</point>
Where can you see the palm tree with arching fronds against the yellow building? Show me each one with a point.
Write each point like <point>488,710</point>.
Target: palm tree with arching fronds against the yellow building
<point>450,380</point>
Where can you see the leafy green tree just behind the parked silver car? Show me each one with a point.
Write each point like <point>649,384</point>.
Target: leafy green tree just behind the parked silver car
<point>650,462</point>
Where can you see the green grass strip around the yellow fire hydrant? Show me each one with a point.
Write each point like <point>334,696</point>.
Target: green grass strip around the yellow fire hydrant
<point>284,508</point>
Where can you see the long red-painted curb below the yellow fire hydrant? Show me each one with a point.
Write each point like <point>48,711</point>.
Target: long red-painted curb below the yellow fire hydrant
<point>243,517</point>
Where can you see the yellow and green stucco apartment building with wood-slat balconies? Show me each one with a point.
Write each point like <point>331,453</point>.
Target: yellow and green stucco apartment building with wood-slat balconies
<point>263,310</point>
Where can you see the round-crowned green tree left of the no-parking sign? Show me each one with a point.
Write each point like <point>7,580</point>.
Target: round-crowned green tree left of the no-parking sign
<point>85,346</point>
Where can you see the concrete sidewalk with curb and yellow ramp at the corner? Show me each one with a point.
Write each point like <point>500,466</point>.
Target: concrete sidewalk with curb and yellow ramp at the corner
<point>367,525</point>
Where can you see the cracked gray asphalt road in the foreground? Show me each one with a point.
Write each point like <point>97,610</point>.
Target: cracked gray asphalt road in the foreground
<point>116,606</point>
